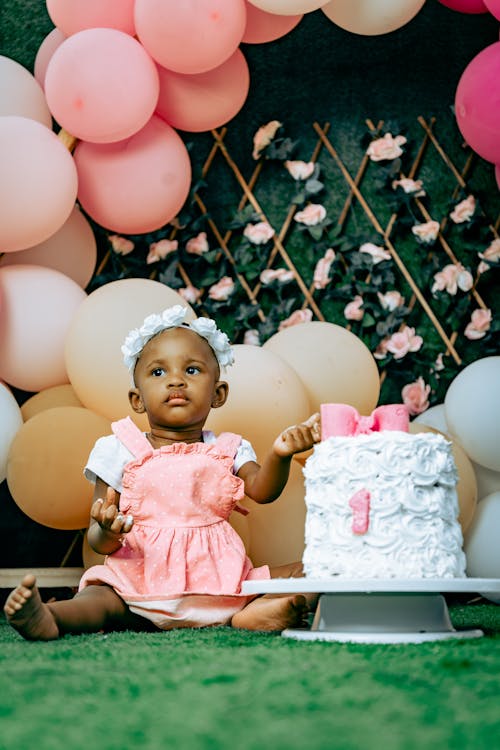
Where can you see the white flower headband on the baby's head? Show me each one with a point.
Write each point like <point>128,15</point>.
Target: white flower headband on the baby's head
<point>174,317</point>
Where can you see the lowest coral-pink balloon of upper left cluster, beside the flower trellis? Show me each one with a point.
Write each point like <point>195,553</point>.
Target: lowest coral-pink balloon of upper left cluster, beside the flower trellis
<point>137,185</point>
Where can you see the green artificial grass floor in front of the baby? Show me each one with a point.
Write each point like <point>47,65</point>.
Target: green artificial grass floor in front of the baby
<point>222,688</point>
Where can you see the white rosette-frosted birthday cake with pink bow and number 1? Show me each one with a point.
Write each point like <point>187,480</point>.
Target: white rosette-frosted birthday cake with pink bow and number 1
<point>381,502</point>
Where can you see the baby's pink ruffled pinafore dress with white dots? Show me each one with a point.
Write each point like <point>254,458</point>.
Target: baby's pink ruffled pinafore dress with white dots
<point>182,563</point>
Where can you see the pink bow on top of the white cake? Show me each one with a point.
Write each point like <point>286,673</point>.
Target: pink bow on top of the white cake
<point>343,420</point>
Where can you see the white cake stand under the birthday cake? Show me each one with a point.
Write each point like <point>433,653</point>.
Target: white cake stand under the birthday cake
<point>378,611</point>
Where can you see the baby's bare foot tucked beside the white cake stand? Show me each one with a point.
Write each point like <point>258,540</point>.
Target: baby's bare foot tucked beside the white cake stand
<point>273,613</point>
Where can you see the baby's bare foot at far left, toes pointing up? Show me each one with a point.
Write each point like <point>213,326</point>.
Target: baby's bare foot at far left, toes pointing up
<point>26,612</point>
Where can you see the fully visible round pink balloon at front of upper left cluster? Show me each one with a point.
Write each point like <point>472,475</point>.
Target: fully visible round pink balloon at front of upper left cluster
<point>101,85</point>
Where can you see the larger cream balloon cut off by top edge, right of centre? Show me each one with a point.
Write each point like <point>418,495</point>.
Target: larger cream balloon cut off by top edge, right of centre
<point>369,18</point>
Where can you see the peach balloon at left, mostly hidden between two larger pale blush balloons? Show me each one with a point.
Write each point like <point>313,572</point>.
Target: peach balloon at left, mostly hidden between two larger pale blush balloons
<point>72,249</point>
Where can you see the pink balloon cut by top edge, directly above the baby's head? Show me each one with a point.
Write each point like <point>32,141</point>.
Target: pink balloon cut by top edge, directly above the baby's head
<point>192,36</point>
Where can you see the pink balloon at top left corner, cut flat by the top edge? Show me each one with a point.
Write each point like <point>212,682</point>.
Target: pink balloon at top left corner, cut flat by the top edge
<point>76,15</point>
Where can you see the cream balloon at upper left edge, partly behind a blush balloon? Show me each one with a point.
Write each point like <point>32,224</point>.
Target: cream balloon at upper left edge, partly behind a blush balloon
<point>22,95</point>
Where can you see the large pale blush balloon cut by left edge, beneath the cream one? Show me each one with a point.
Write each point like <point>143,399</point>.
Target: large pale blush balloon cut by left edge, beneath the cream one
<point>38,183</point>
